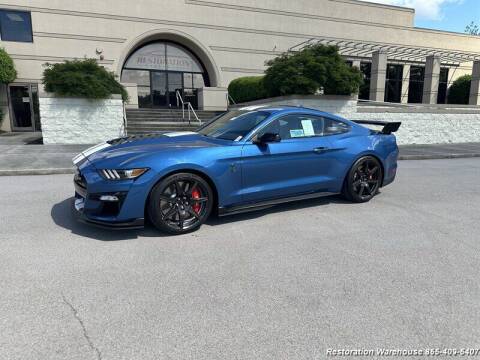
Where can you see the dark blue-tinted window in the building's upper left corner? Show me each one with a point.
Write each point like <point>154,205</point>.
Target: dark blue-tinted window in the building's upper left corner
<point>16,26</point>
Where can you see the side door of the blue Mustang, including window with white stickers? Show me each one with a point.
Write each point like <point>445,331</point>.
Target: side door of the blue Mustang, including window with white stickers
<point>298,163</point>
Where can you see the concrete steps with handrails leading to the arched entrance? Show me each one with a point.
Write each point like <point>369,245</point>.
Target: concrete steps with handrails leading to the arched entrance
<point>143,121</point>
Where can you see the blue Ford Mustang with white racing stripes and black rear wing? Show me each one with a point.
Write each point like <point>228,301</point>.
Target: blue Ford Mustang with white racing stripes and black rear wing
<point>243,160</point>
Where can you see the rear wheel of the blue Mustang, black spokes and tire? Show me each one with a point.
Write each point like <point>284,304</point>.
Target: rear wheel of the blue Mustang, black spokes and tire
<point>363,180</point>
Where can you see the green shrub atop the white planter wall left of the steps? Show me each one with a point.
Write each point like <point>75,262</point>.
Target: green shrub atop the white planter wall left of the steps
<point>82,78</point>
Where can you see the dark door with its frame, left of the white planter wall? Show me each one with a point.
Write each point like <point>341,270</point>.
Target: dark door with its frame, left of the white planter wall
<point>24,112</point>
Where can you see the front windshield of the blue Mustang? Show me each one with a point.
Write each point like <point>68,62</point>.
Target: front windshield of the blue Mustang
<point>234,125</point>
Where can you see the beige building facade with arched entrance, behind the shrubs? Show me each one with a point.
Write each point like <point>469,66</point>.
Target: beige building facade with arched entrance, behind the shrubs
<point>195,48</point>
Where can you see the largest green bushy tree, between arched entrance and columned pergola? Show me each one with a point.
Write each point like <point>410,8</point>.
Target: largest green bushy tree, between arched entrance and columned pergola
<point>314,68</point>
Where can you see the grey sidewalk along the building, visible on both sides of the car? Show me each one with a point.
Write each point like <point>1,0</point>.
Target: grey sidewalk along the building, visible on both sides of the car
<point>57,159</point>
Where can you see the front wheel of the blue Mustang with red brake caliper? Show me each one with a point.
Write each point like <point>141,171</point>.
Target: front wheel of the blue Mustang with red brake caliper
<point>180,203</point>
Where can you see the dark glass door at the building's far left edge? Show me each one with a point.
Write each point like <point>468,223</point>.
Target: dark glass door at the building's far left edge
<point>21,106</point>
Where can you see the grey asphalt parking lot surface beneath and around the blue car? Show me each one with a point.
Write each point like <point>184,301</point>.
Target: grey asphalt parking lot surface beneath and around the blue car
<point>402,271</point>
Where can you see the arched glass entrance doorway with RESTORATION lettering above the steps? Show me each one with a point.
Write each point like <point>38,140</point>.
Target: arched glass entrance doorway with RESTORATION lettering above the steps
<point>161,69</point>
